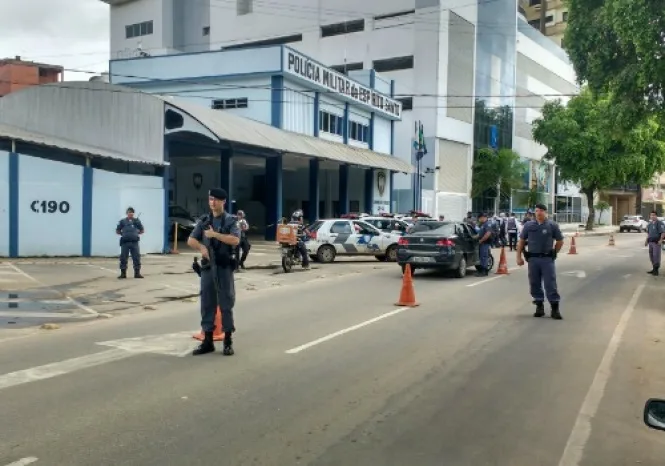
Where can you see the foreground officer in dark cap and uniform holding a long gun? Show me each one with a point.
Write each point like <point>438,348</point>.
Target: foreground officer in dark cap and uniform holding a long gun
<point>216,236</point>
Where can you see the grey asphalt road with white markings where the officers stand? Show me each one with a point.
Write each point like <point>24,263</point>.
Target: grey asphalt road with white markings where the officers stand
<point>333,373</point>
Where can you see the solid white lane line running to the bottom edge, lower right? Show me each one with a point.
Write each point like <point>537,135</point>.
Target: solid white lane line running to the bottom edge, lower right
<point>572,454</point>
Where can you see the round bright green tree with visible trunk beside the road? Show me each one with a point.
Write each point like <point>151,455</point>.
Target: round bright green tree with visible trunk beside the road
<point>582,141</point>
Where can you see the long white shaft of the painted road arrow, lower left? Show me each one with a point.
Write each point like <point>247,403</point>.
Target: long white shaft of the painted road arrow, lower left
<point>60,368</point>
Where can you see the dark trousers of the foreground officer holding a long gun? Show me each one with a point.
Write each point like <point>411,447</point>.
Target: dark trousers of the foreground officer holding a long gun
<point>223,295</point>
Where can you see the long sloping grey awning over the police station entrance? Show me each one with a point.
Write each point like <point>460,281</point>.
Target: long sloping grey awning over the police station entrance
<point>245,131</point>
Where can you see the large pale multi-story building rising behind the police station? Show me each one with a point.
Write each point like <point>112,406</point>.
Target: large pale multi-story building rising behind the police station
<point>447,58</point>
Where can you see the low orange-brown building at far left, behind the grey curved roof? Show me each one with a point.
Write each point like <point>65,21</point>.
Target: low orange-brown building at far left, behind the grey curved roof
<point>16,74</point>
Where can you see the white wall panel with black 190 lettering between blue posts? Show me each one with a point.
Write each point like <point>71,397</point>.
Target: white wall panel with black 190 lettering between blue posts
<point>43,233</point>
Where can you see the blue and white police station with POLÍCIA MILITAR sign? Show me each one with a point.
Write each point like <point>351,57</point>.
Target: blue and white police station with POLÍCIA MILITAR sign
<point>275,128</point>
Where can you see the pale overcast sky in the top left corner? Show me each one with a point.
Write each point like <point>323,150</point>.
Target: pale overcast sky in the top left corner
<point>70,33</point>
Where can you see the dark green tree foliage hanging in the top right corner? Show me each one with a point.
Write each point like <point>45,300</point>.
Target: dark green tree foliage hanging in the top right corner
<point>617,47</point>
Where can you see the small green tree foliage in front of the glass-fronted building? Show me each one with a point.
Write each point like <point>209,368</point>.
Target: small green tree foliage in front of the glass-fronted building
<point>491,168</point>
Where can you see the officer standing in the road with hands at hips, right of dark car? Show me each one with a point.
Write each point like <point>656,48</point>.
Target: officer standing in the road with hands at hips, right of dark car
<point>540,234</point>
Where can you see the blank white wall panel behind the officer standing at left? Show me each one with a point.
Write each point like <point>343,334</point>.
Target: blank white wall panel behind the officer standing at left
<point>112,194</point>
